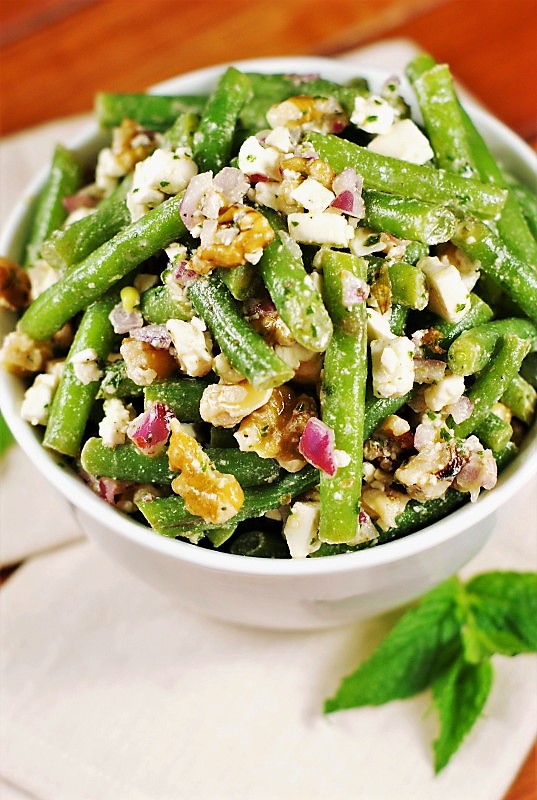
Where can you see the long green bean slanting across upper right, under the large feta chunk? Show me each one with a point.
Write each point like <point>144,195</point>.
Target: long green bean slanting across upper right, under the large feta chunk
<point>392,175</point>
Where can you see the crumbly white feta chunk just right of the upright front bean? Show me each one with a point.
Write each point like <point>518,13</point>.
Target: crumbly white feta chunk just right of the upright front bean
<point>392,361</point>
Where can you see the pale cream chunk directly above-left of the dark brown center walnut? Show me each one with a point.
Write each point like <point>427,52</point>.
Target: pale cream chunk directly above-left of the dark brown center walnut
<point>225,405</point>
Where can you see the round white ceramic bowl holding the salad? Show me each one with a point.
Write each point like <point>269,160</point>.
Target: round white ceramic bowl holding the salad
<point>293,594</point>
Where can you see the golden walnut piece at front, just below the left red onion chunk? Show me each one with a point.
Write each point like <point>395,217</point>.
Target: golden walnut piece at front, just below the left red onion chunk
<point>208,493</point>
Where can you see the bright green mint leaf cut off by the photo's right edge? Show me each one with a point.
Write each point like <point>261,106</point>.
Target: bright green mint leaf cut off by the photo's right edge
<point>501,614</point>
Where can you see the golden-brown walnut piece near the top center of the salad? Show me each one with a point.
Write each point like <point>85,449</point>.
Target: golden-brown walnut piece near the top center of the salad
<point>240,236</point>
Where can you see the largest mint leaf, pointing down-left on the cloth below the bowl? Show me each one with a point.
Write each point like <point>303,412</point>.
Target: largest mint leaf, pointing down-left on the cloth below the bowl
<point>417,647</point>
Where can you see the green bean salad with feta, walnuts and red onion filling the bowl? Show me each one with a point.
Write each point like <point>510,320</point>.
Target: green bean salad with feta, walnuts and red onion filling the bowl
<point>285,319</point>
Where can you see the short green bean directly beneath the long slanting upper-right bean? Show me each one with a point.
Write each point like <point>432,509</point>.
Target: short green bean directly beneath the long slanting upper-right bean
<point>408,218</point>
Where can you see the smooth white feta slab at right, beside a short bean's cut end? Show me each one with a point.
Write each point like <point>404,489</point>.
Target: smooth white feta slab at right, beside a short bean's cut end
<point>448,296</point>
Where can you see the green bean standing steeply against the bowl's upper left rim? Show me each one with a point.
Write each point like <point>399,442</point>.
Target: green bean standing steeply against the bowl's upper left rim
<point>63,180</point>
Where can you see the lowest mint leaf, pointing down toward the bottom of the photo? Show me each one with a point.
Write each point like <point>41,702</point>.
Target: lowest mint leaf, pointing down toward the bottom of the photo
<point>459,693</point>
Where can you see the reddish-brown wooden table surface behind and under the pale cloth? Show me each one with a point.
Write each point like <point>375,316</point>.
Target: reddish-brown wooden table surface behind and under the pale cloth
<point>58,53</point>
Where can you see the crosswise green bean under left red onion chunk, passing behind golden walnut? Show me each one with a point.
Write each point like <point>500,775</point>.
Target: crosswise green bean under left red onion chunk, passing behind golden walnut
<point>126,462</point>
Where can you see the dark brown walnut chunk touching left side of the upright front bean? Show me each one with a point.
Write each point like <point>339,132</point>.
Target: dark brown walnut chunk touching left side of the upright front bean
<point>274,430</point>
